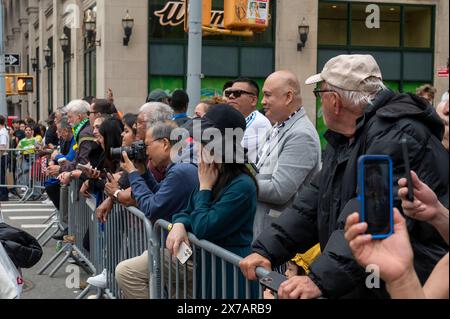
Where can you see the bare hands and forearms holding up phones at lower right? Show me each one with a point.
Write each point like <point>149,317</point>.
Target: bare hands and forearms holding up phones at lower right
<point>394,255</point>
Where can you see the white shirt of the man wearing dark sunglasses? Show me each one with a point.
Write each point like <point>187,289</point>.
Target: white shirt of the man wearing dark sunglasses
<point>257,128</point>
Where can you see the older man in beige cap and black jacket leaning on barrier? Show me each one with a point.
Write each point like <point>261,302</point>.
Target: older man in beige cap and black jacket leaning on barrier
<point>363,117</point>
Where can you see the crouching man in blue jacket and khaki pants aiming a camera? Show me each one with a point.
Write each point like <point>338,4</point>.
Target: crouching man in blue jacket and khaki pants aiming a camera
<point>155,200</point>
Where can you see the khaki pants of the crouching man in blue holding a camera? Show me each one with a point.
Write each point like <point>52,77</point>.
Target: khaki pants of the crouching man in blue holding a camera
<point>133,278</point>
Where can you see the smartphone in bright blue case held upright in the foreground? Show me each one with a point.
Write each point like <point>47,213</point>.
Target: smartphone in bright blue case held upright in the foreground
<point>375,194</point>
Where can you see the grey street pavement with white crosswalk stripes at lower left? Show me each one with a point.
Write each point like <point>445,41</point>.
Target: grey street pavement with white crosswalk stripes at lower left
<point>30,218</point>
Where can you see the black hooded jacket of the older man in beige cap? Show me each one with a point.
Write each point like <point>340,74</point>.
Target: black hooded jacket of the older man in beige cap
<point>317,213</point>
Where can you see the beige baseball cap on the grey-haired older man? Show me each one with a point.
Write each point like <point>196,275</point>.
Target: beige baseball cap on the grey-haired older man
<point>348,72</point>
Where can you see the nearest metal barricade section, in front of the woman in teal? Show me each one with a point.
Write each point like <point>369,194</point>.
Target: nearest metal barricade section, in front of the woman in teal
<point>208,273</point>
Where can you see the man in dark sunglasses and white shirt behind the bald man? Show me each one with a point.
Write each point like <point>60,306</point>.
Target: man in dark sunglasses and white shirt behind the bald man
<point>243,96</point>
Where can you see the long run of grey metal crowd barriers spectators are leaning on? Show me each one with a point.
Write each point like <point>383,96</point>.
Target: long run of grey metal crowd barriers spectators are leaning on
<point>127,234</point>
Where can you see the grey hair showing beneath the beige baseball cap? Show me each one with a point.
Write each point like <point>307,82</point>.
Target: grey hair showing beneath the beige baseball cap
<point>358,100</point>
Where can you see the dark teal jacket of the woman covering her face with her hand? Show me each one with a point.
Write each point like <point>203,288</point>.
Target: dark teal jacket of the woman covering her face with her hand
<point>228,223</point>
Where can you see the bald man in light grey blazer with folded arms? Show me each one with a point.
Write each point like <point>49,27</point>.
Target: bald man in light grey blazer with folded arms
<point>290,155</point>
